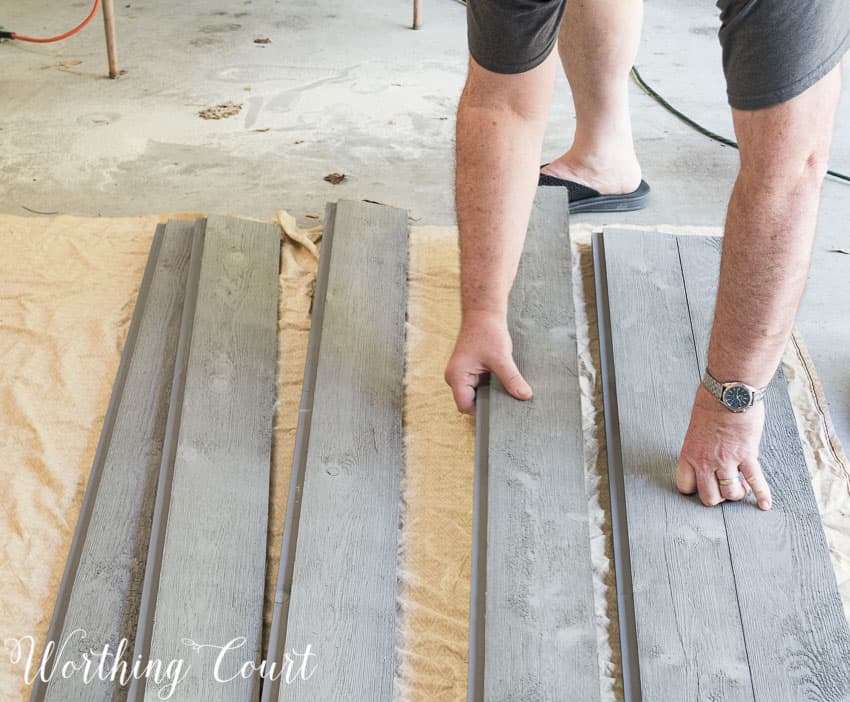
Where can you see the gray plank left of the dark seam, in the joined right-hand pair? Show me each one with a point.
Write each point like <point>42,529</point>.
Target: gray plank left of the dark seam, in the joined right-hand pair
<point>690,641</point>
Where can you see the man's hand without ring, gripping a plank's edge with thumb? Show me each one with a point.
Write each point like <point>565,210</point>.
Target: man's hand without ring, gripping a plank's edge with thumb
<point>483,345</point>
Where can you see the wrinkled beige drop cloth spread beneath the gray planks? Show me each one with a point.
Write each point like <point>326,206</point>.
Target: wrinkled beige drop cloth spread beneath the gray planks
<point>67,291</point>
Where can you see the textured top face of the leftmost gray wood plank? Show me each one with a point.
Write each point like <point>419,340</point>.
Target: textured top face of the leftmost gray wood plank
<point>103,603</point>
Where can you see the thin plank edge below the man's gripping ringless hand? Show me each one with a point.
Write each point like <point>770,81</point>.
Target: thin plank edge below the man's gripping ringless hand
<point>478,579</point>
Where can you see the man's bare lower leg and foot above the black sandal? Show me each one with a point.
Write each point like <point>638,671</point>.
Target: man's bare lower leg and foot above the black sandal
<point>598,44</point>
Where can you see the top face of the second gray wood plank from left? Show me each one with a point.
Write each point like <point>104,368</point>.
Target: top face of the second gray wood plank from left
<point>210,589</point>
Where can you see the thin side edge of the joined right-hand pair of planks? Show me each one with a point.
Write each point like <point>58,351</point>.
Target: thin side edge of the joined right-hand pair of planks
<point>619,525</point>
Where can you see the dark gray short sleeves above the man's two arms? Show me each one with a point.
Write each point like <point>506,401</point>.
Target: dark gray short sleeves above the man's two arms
<point>773,50</point>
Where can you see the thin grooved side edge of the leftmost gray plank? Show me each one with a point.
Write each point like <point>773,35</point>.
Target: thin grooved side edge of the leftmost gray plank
<point>75,553</point>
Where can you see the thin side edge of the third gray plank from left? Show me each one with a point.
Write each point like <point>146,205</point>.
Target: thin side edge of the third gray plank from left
<point>277,636</point>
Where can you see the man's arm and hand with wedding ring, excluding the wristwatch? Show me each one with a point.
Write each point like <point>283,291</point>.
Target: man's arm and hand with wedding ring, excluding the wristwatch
<point>770,229</point>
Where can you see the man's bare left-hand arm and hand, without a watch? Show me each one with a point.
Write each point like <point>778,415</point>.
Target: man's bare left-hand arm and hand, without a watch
<point>500,125</point>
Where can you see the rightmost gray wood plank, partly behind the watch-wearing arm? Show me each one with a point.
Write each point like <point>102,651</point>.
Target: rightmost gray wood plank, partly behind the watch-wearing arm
<point>798,641</point>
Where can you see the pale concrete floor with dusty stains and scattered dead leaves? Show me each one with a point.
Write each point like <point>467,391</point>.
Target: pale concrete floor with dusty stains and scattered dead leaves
<point>348,87</point>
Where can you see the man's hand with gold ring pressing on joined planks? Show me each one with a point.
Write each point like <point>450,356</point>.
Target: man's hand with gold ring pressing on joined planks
<point>720,444</point>
